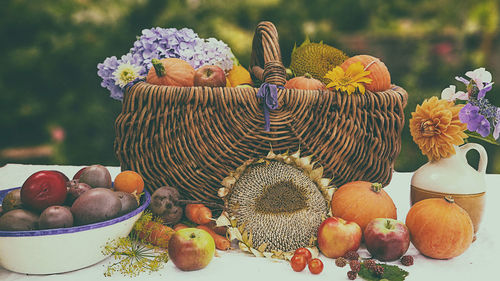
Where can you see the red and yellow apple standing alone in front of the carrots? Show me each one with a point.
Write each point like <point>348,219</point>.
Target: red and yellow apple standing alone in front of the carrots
<point>191,249</point>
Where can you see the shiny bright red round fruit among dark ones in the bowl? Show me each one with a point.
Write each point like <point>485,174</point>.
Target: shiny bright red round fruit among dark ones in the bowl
<point>43,189</point>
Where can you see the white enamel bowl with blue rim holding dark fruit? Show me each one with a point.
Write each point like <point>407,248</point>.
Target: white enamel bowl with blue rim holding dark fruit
<point>63,249</point>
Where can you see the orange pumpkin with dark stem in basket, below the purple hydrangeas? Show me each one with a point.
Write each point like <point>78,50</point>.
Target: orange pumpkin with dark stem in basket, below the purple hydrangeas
<point>171,72</point>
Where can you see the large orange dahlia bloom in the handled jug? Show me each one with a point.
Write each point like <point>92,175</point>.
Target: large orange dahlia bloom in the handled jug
<point>436,127</point>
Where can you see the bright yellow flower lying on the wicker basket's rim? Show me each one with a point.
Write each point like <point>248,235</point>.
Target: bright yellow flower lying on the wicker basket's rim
<point>350,80</point>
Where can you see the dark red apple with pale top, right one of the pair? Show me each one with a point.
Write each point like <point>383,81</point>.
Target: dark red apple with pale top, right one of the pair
<point>386,239</point>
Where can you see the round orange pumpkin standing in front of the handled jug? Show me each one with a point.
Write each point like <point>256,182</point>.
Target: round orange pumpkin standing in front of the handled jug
<point>439,228</point>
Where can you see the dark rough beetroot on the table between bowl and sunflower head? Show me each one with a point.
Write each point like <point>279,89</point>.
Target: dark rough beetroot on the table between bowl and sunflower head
<point>164,204</point>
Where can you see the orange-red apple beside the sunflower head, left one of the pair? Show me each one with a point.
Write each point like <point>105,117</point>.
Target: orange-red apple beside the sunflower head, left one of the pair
<point>337,237</point>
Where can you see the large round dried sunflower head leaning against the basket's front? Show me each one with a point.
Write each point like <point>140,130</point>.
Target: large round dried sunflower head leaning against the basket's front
<point>276,204</point>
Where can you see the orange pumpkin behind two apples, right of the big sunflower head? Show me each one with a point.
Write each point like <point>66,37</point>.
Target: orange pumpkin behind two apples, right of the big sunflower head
<point>361,202</point>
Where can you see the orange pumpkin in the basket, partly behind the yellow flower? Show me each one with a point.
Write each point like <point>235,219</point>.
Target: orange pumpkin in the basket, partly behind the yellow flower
<point>381,78</point>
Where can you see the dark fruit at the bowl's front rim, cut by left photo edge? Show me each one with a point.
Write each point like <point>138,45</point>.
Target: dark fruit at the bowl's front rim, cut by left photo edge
<point>19,220</point>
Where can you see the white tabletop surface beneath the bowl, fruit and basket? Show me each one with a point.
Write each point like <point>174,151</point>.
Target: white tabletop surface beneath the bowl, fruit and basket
<point>477,263</point>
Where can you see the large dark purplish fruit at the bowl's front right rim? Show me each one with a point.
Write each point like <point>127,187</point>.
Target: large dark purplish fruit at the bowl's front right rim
<point>95,205</point>
